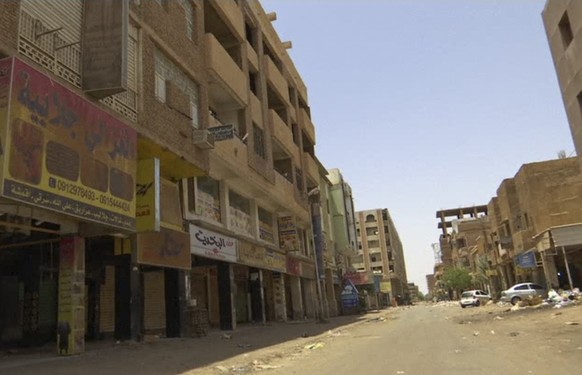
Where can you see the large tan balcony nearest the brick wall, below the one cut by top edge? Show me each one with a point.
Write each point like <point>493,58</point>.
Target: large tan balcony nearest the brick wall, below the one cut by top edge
<point>228,84</point>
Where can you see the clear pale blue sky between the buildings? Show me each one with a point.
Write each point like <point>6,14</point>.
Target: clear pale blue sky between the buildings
<point>426,105</point>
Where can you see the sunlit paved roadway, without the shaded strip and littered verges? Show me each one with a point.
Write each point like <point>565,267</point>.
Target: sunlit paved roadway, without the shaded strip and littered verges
<point>432,340</point>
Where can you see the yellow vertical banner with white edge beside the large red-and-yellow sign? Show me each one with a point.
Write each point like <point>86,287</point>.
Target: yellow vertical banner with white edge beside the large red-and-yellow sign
<point>147,195</point>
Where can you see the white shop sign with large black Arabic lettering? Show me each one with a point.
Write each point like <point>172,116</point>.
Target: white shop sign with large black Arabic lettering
<point>212,245</point>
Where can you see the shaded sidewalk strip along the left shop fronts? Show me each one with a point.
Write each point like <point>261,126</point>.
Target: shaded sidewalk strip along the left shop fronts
<point>175,355</point>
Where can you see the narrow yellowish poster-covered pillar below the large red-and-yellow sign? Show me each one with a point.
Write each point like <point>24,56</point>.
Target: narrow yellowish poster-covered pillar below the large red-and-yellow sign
<point>71,309</point>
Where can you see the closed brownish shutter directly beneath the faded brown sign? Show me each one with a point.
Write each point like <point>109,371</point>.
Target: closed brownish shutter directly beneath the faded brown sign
<point>154,301</point>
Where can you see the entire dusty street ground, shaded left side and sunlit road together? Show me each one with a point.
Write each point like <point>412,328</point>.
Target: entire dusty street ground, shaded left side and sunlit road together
<point>423,339</point>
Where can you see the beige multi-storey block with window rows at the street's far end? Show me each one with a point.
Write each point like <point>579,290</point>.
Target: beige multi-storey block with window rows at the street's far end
<point>380,256</point>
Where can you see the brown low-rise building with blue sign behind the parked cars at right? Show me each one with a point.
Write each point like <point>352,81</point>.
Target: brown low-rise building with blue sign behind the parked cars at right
<point>537,224</point>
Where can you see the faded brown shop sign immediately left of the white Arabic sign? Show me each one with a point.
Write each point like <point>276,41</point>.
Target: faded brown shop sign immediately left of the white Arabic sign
<point>166,248</point>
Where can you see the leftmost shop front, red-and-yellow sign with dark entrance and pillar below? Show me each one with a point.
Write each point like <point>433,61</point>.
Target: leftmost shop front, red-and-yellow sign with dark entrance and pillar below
<point>64,164</point>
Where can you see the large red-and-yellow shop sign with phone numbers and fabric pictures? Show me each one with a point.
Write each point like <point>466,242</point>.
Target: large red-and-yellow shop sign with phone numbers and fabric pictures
<point>60,152</point>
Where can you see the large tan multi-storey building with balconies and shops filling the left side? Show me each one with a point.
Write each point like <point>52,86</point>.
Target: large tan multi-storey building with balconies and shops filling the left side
<point>155,161</point>
